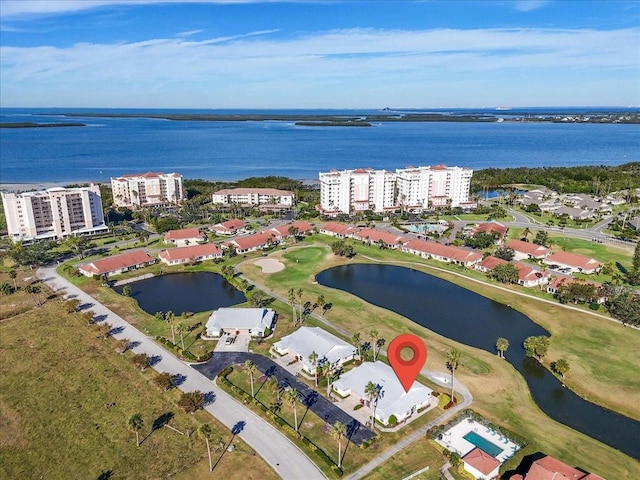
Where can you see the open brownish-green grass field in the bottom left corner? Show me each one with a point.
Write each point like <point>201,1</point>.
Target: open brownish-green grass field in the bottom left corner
<point>66,395</point>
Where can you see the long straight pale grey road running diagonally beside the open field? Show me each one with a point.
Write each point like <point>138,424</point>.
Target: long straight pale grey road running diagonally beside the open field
<point>284,457</point>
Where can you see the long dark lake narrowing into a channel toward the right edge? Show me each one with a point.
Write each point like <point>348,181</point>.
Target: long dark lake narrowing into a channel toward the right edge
<point>472,319</point>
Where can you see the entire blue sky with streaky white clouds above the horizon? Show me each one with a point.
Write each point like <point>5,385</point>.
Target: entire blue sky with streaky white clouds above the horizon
<point>319,54</point>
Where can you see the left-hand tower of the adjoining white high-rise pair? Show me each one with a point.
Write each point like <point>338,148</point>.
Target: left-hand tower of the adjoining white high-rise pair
<point>351,191</point>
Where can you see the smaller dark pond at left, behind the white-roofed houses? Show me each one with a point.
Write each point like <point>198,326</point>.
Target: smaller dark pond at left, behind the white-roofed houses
<point>184,292</point>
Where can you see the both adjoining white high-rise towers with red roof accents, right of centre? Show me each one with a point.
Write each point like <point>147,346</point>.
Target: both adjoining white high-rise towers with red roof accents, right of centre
<point>413,189</point>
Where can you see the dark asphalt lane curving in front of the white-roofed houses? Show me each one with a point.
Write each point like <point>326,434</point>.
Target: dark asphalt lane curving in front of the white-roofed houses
<point>309,398</point>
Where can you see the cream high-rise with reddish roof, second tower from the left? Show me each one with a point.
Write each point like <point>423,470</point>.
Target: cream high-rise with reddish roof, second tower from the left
<point>147,189</point>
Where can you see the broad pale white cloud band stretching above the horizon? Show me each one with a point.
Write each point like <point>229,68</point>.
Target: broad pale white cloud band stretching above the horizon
<point>340,66</point>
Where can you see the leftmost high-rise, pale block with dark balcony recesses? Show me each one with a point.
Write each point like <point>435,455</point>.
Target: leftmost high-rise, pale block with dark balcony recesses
<point>54,213</point>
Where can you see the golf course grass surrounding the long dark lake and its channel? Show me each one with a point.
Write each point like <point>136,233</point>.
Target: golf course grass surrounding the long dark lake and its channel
<point>500,392</point>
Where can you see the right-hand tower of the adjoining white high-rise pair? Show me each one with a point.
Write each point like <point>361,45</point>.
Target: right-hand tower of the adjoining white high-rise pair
<point>424,188</point>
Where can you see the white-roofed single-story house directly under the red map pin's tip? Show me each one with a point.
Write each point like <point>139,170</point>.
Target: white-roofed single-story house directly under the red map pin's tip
<point>393,400</point>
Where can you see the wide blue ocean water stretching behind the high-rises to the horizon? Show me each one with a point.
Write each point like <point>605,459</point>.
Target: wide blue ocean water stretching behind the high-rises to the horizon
<point>109,147</point>
